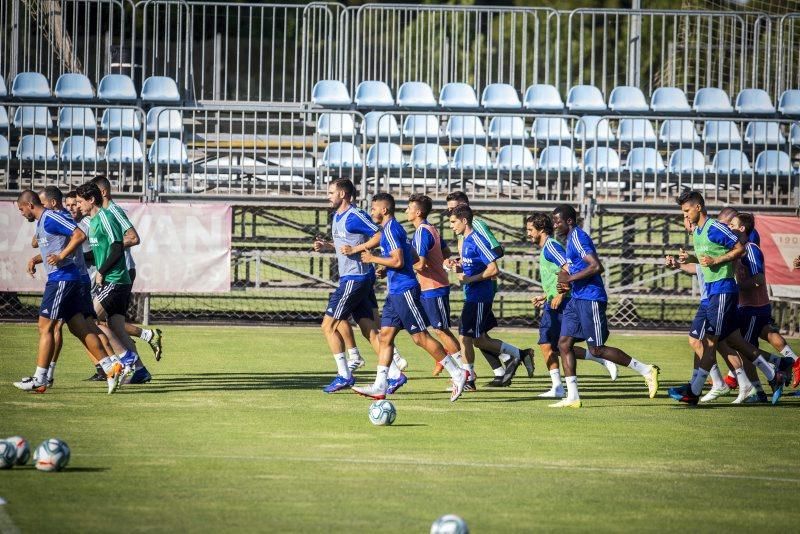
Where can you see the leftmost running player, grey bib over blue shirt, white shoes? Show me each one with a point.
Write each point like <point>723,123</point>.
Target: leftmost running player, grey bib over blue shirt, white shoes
<point>58,239</point>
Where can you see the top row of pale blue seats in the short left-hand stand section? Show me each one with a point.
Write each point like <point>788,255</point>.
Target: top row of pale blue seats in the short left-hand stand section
<point>77,87</point>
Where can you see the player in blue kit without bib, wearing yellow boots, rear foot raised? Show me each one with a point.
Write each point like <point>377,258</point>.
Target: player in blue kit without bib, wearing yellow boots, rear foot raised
<point>584,317</point>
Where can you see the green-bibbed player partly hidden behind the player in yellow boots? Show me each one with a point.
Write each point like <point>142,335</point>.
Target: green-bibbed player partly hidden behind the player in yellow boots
<point>552,259</point>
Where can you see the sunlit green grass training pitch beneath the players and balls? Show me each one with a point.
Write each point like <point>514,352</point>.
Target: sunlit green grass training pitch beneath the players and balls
<point>234,433</point>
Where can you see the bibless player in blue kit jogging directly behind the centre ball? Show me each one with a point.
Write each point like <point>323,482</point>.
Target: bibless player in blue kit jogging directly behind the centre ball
<point>402,308</point>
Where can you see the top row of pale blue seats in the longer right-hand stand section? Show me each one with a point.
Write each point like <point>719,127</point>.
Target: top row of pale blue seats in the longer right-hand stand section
<point>546,98</point>
